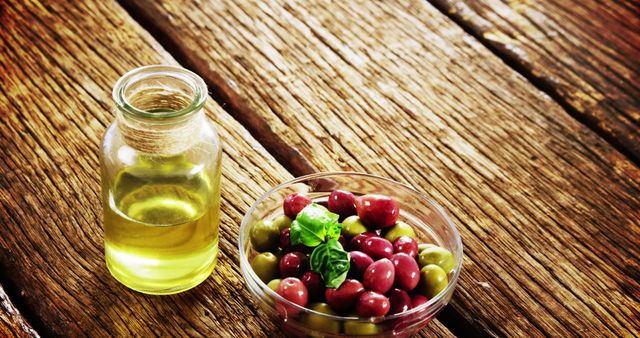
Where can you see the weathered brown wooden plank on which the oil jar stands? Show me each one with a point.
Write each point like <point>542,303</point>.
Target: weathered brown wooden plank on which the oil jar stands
<point>58,62</point>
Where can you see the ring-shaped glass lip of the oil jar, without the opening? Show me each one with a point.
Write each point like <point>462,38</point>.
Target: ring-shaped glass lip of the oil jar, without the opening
<point>195,82</point>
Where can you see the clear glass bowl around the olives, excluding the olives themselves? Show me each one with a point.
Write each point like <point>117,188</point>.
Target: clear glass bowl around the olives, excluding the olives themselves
<point>427,218</point>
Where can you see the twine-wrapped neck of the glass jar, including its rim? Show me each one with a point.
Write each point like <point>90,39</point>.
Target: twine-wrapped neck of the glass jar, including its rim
<point>160,109</point>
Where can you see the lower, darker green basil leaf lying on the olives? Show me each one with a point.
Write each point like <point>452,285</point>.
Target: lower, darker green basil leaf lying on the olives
<point>331,261</point>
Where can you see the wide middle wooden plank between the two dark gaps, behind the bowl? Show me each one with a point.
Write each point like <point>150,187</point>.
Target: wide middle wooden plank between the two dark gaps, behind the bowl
<point>548,211</point>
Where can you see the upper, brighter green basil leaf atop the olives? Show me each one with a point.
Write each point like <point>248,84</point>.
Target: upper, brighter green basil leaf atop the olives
<point>311,224</point>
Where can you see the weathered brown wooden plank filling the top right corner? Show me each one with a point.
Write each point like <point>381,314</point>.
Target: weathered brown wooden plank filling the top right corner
<point>584,53</point>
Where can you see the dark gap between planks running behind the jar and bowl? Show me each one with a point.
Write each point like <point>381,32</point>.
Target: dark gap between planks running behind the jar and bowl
<point>290,158</point>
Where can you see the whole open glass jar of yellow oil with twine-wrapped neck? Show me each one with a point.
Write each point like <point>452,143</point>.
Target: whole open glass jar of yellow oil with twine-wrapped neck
<point>160,165</point>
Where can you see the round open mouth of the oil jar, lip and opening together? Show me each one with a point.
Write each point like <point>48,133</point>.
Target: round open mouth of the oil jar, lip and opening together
<point>159,92</point>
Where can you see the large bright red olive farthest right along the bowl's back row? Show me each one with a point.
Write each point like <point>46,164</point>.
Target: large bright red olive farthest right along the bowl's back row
<point>377,211</point>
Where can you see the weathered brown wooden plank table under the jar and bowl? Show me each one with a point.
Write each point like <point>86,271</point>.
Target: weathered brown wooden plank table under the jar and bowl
<point>522,118</point>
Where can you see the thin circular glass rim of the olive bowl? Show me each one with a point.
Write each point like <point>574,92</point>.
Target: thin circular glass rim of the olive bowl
<point>246,266</point>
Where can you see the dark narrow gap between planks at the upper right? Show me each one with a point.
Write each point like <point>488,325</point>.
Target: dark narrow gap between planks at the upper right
<point>543,84</point>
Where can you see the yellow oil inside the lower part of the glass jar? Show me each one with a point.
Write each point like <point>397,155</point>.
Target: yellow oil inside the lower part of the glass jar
<point>161,231</point>
